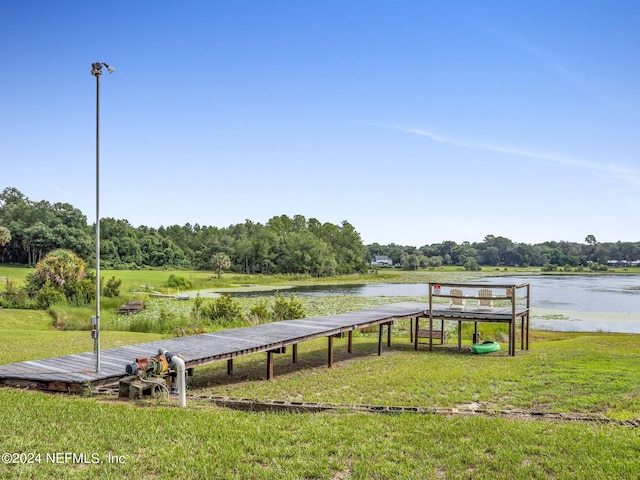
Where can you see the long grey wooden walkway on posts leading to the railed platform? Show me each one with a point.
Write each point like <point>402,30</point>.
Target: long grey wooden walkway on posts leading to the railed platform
<point>73,373</point>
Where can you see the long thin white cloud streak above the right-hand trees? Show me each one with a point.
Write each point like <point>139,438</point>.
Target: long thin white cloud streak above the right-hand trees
<point>630,176</point>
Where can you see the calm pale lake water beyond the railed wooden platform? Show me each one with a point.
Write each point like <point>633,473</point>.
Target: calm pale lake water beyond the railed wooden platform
<point>607,303</point>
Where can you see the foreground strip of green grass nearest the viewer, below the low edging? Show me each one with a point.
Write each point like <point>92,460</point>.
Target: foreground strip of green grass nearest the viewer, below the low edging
<point>203,442</point>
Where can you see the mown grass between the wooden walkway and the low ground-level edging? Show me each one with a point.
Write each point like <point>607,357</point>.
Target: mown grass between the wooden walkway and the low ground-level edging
<point>594,374</point>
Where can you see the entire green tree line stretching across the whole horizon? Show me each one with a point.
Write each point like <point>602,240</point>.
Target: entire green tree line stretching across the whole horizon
<point>284,245</point>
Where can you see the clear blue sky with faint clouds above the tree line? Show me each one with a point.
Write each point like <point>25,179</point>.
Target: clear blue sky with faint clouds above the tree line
<point>417,122</point>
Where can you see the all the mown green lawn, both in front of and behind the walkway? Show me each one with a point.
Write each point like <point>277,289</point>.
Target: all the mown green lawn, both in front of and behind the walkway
<point>596,374</point>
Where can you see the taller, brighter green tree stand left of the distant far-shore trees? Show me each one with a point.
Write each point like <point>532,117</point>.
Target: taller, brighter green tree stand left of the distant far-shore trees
<point>284,245</point>
